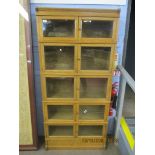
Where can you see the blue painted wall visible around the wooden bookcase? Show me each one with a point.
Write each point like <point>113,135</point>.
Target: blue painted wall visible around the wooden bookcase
<point>121,36</point>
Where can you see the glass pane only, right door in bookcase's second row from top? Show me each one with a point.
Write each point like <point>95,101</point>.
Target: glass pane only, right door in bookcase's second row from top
<point>95,58</point>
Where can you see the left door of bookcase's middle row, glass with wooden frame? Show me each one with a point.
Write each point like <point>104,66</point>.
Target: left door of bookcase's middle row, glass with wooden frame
<point>59,88</point>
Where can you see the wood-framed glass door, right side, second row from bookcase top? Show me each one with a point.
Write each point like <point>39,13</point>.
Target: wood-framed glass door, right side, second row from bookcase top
<point>95,59</point>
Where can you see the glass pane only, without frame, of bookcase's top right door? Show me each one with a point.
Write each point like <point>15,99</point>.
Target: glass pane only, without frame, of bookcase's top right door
<point>97,29</point>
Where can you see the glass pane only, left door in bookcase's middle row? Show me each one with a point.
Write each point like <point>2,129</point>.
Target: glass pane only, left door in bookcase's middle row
<point>60,87</point>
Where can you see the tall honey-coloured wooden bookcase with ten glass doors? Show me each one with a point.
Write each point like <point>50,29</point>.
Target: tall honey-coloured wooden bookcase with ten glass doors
<point>76,49</point>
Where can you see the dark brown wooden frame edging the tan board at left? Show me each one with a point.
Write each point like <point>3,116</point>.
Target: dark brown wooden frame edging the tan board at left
<point>29,55</point>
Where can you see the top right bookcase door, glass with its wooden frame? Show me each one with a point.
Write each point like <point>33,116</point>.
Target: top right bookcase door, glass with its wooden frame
<point>97,29</point>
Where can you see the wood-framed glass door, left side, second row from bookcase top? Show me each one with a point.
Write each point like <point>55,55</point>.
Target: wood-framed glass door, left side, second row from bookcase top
<point>58,58</point>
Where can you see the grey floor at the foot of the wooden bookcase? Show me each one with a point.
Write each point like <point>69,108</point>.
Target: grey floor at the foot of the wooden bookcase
<point>111,150</point>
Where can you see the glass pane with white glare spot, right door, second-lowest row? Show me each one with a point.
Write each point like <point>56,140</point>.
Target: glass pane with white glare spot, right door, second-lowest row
<point>90,112</point>
